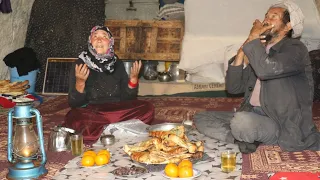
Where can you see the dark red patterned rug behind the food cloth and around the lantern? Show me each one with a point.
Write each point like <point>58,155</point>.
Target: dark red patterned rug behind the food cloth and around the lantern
<point>167,109</point>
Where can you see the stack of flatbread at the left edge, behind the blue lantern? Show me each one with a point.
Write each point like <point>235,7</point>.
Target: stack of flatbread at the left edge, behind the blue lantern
<point>14,88</point>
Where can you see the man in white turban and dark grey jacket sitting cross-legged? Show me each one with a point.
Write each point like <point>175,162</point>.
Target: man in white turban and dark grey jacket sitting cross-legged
<point>273,69</point>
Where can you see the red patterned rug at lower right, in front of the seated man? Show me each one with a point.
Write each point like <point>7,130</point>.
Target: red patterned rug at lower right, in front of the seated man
<point>270,159</point>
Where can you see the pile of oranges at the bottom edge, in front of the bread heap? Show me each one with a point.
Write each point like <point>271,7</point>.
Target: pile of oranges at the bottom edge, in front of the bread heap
<point>182,170</point>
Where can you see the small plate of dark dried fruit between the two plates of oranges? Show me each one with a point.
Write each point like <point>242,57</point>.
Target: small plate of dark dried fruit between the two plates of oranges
<point>129,172</point>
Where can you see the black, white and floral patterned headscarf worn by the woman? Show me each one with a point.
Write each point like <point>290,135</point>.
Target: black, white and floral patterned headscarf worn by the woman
<point>99,62</point>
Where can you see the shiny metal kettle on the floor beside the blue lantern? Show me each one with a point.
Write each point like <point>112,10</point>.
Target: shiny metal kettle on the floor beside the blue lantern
<point>59,139</point>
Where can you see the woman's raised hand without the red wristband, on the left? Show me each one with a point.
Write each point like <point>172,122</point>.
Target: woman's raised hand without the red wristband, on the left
<point>82,73</point>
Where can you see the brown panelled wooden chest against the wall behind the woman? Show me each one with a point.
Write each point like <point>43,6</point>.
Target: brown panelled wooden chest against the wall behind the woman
<point>147,39</point>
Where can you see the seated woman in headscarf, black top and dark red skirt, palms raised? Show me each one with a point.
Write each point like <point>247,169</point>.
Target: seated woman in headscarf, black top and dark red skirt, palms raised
<point>100,91</point>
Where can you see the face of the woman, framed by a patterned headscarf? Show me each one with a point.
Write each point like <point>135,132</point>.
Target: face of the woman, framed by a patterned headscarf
<point>100,41</point>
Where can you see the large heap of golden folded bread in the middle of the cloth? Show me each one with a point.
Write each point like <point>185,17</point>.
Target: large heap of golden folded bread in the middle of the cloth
<point>165,146</point>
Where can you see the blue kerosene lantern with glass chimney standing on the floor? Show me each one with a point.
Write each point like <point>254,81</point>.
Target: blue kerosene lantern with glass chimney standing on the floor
<point>26,151</point>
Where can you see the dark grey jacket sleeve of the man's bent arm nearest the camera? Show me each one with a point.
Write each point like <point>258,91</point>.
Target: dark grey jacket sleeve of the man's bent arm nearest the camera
<point>288,62</point>
